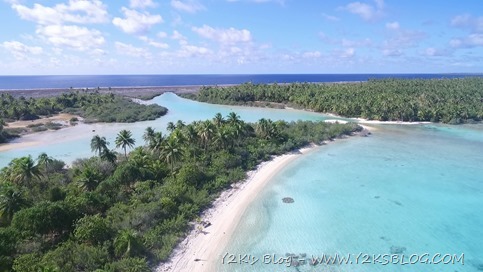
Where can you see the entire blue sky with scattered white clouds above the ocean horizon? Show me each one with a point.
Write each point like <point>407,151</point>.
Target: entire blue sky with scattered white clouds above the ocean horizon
<point>240,36</point>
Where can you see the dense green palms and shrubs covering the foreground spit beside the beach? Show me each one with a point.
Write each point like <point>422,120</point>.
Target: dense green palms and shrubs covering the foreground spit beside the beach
<point>126,212</point>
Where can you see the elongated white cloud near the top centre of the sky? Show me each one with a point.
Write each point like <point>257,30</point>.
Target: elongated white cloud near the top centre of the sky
<point>224,36</point>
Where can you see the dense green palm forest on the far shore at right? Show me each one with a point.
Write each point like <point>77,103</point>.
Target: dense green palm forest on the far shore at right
<point>436,100</point>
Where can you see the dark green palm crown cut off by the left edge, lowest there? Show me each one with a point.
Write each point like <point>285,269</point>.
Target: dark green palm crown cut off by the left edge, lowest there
<point>11,201</point>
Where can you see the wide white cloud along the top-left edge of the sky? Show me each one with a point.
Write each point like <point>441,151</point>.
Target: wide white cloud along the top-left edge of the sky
<point>80,12</point>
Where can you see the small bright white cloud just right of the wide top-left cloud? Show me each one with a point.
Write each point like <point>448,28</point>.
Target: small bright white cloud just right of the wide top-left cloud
<point>136,22</point>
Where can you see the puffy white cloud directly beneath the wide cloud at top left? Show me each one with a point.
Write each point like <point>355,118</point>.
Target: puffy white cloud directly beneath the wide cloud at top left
<point>75,37</point>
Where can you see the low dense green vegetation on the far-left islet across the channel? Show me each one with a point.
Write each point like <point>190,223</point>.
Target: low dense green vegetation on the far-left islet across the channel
<point>91,105</point>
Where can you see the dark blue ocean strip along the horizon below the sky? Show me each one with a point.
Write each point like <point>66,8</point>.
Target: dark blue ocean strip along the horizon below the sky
<point>92,81</point>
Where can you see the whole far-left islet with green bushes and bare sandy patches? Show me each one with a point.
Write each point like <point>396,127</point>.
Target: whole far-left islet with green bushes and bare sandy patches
<point>76,104</point>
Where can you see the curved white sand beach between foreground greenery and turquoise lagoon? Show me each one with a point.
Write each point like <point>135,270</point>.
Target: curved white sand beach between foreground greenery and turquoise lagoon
<point>202,249</point>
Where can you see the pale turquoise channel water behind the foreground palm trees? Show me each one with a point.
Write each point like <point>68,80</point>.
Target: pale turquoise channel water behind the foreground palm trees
<point>74,142</point>
